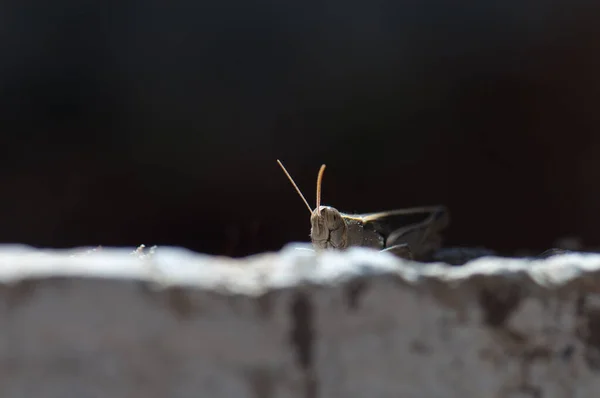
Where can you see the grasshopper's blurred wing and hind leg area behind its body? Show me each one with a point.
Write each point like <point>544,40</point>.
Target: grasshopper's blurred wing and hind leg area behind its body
<point>419,227</point>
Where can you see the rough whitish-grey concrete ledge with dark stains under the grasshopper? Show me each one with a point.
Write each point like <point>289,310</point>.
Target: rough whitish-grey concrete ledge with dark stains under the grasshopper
<point>172,323</point>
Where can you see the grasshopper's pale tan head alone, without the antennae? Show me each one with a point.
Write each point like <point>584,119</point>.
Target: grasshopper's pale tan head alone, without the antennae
<point>328,228</point>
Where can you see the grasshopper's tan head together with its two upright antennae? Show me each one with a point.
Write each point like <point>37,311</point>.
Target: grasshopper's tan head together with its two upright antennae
<point>328,227</point>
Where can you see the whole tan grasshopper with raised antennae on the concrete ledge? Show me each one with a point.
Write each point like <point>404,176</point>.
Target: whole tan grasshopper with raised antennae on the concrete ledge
<point>412,233</point>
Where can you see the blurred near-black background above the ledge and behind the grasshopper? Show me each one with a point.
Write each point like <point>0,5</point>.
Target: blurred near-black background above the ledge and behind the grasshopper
<point>152,122</point>
